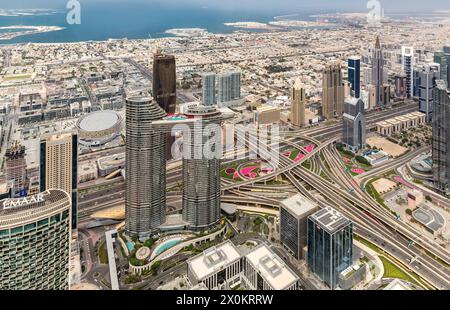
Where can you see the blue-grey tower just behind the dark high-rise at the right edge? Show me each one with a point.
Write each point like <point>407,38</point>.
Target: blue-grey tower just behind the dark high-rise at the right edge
<point>428,75</point>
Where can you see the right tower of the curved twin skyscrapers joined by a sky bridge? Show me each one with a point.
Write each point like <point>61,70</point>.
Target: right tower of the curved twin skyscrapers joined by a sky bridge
<point>201,172</point>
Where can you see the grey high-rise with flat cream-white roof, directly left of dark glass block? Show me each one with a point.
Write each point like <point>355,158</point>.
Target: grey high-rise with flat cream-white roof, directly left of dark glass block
<point>294,214</point>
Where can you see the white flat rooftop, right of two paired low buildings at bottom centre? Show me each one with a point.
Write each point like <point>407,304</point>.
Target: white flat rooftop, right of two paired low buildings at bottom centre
<point>271,267</point>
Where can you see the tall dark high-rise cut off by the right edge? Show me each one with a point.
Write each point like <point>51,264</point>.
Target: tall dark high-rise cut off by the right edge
<point>441,136</point>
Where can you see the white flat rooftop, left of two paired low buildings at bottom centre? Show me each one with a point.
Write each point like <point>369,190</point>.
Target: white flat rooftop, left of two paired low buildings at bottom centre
<point>213,259</point>
